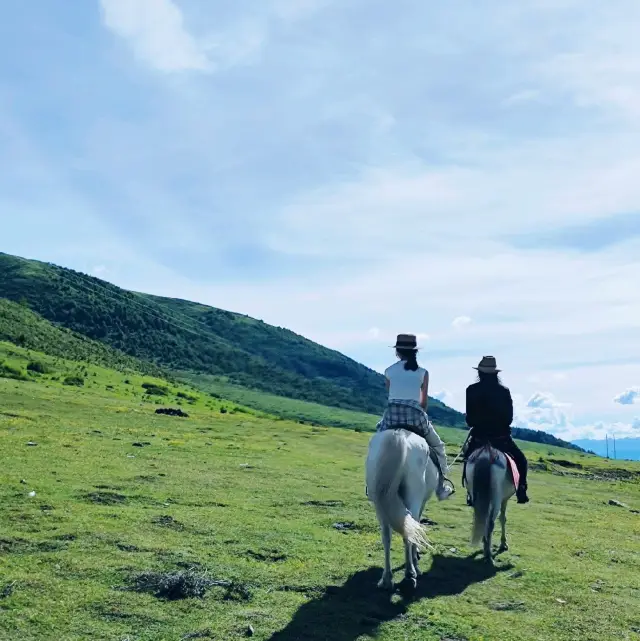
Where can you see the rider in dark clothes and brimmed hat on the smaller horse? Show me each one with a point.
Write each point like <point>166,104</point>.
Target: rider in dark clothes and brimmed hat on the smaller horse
<point>490,414</point>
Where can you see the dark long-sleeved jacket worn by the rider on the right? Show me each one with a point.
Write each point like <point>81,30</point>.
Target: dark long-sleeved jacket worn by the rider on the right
<point>489,410</point>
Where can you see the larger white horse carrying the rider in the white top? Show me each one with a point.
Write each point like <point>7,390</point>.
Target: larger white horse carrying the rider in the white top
<point>400,477</point>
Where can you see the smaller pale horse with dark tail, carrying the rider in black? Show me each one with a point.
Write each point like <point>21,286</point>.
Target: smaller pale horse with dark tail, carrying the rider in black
<point>490,486</point>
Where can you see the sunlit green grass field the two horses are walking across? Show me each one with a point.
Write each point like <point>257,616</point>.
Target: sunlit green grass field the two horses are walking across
<point>247,506</point>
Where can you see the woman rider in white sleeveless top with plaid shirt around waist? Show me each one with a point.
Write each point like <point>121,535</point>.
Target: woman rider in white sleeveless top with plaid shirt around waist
<point>407,387</point>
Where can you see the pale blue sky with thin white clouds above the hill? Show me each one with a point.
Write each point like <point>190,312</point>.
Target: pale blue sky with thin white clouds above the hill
<point>351,170</point>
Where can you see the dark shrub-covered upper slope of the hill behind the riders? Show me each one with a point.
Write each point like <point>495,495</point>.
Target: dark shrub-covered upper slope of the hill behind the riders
<point>181,335</point>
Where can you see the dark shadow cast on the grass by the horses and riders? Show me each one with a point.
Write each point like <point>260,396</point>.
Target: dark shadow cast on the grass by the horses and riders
<point>358,607</point>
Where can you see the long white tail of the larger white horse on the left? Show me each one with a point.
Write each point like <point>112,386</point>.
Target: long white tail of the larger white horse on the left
<point>388,474</point>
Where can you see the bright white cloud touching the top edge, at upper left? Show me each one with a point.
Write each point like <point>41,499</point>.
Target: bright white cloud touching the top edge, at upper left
<point>156,32</point>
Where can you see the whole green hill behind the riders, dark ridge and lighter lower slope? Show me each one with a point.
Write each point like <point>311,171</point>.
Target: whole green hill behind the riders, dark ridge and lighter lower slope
<point>225,354</point>
